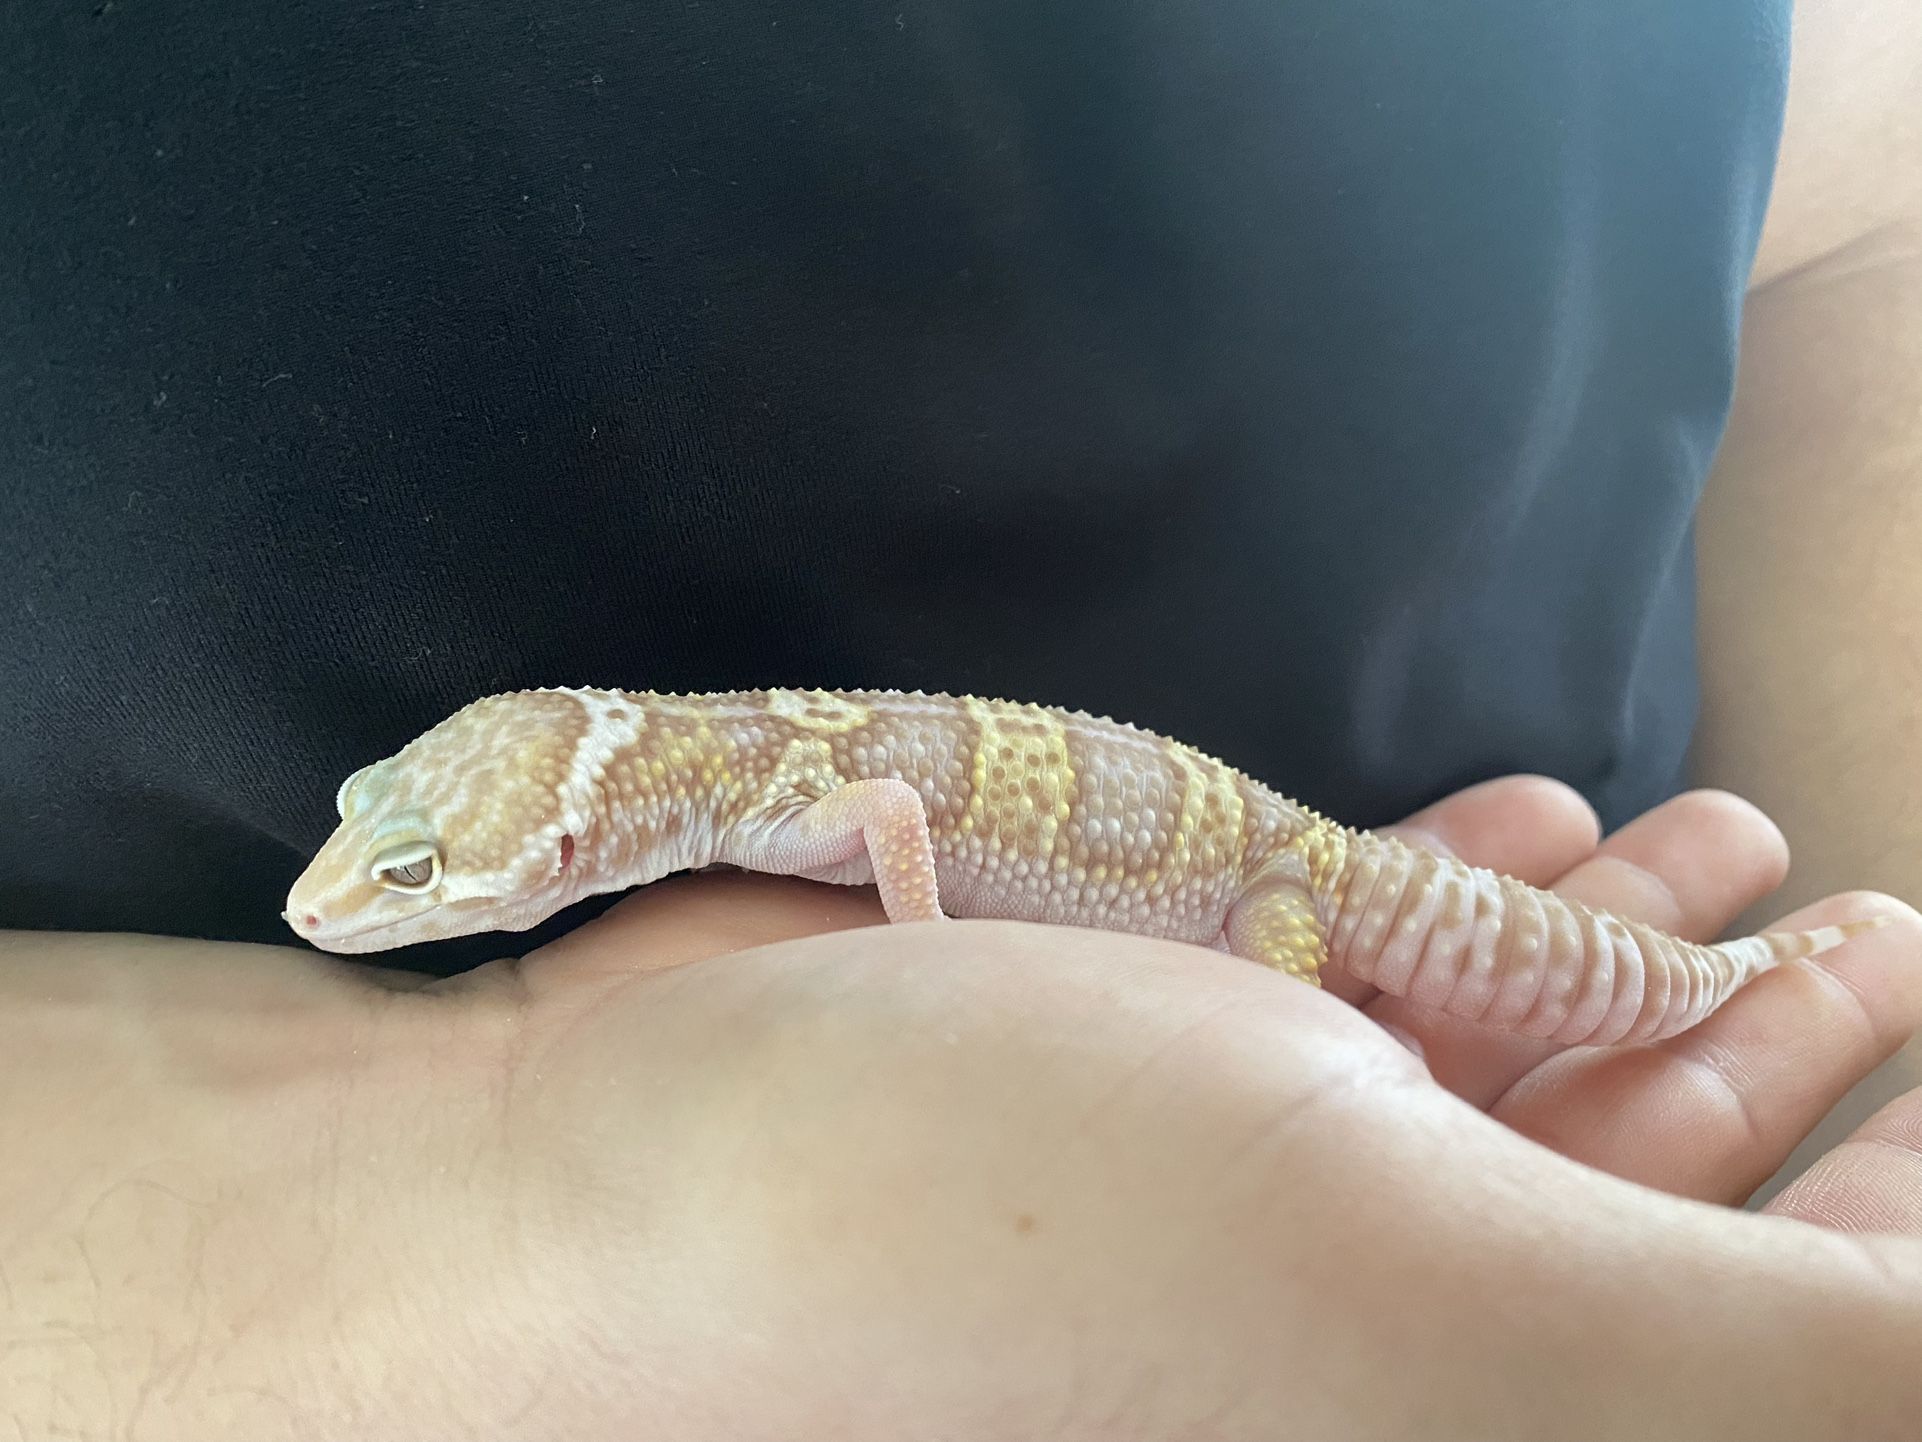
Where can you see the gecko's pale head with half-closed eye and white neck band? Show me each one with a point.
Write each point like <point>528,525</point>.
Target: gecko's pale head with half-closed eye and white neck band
<point>470,828</point>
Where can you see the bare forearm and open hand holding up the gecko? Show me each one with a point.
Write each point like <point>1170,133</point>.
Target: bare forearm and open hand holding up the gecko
<point>735,1162</point>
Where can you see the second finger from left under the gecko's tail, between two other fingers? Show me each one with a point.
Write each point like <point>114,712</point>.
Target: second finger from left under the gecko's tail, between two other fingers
<point>1690,868</point>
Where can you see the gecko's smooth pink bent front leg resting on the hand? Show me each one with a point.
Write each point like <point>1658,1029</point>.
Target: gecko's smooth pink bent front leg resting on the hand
<point>881,818</point>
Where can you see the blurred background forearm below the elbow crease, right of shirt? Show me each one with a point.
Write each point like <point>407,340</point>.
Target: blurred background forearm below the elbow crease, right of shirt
<point>1811,572</point>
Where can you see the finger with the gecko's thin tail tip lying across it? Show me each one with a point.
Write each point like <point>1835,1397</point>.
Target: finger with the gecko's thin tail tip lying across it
<point>1717,1110</point>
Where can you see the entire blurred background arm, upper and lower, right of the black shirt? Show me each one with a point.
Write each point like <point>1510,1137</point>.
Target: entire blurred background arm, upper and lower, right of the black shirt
<point>1811,528</point>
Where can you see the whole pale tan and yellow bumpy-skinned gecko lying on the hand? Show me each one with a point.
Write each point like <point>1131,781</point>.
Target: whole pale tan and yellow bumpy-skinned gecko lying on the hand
<point>528,803</point>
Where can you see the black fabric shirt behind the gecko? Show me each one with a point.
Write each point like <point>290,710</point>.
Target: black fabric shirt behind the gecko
<point>1325,384</point>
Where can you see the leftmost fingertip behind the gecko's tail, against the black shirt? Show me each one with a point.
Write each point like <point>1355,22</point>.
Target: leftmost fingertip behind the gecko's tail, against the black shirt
<point>1529,828</point>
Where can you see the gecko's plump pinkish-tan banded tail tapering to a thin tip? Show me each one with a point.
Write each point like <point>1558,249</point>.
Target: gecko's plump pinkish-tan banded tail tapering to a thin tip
<point>1496,951</point>
